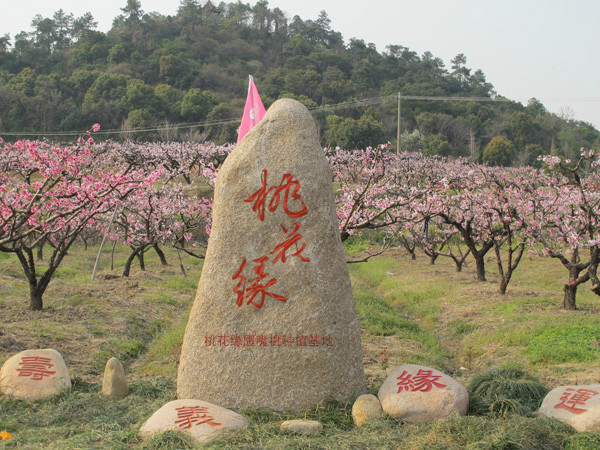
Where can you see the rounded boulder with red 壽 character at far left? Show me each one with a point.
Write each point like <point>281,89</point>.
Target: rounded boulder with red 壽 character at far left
<point>35,375</point>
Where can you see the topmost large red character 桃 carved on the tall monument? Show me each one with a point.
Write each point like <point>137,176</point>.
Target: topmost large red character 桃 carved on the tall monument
<point>288,187</point>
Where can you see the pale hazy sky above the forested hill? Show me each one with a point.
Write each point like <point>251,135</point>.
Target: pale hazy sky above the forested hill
<point>547,49</point>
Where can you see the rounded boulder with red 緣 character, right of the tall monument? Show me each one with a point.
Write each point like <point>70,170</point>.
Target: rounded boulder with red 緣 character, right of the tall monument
<point>418,394</point>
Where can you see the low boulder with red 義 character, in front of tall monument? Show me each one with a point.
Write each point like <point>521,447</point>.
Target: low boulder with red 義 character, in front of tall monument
<point>203,421</point>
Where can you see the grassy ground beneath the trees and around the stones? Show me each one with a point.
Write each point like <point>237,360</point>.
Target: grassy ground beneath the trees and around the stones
<point>410,312</point>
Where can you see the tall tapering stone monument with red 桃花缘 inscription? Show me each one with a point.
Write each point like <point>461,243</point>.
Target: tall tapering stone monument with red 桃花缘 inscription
<point>283,355</point>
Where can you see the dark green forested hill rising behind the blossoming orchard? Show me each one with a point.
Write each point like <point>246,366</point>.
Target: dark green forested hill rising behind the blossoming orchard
<point>151,70</point>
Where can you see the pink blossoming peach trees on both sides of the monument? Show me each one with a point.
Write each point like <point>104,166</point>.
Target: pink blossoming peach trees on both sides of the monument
<point>151,195</point>
